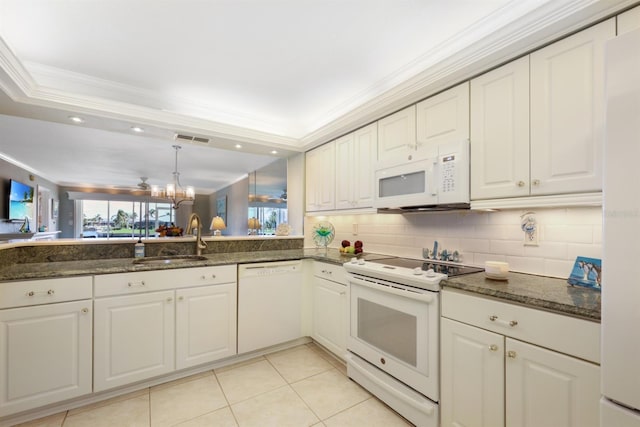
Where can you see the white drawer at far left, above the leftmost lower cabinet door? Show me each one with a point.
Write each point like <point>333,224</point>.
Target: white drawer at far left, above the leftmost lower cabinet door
<point>35,292</point>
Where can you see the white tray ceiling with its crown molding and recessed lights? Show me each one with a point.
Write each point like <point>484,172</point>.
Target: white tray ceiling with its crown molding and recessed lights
<point>268,74</point>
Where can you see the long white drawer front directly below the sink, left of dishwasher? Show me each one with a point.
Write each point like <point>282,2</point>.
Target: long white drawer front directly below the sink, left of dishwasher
<point>157,280</point>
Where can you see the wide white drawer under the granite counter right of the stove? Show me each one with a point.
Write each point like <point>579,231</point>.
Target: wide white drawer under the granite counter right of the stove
<point>569,335</point>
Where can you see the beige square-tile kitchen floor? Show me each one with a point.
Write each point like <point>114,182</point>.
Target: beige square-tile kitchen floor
<point>302,386</point>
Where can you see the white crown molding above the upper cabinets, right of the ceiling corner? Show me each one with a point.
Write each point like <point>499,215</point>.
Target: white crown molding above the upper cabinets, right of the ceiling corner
<point>539,27</point>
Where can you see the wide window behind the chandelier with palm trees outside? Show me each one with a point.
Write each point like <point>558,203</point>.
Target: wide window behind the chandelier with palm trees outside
<point>114,218</point>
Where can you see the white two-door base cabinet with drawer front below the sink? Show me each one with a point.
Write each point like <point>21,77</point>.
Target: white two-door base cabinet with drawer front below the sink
<point>152,323</point>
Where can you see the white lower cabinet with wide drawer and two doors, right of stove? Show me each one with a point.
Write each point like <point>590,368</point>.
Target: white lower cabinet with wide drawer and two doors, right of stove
<point>491,379</point>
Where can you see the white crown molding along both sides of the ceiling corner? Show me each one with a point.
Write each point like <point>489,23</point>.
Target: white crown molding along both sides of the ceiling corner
<point>503,39</point>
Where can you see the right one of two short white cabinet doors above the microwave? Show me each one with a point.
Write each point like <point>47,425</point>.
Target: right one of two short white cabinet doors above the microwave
<point>443,118</point>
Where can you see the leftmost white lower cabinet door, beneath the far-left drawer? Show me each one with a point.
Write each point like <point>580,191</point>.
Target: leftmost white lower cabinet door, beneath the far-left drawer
<point>45,356</point>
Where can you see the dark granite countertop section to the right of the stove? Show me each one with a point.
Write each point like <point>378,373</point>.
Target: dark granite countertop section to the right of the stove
<point>545,293</point>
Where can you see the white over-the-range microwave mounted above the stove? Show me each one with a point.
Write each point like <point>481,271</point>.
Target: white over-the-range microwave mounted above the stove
<point>435,181</point>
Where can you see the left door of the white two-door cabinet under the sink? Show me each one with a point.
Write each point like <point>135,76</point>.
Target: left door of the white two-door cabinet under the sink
<point>134,338</point>
